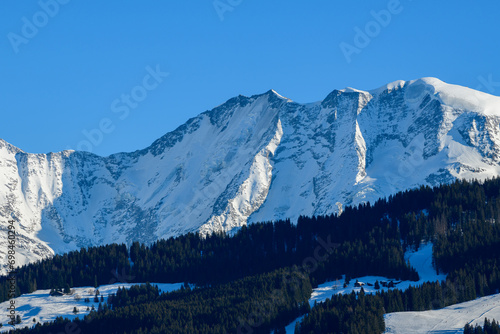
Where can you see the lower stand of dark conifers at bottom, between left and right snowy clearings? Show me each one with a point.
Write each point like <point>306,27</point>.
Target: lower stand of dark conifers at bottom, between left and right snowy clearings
<point>256,304</point>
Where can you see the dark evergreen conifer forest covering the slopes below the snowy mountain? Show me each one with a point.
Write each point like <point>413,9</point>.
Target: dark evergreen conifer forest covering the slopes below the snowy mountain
<point>260,279</point>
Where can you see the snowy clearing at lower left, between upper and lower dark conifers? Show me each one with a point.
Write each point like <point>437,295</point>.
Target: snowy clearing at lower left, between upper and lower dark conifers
<point>43,307</point>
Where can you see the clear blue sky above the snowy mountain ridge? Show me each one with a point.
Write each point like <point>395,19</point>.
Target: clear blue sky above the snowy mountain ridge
<point>73,72</point>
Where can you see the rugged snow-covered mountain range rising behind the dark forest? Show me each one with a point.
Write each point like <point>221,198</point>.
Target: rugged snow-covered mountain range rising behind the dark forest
<point>251,159</point>
